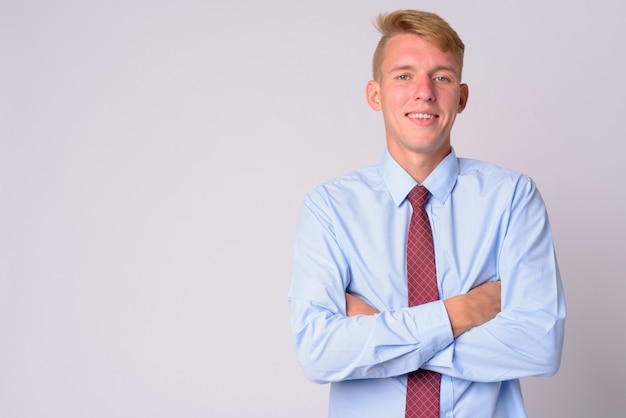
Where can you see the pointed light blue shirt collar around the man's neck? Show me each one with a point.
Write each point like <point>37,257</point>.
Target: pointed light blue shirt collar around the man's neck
<point>440,182</point>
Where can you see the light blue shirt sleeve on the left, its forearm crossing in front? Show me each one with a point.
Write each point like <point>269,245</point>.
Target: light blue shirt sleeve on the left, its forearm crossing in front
<point>333,347</point>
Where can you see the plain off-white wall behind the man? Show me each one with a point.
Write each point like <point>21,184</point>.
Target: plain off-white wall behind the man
<point>154,155</point>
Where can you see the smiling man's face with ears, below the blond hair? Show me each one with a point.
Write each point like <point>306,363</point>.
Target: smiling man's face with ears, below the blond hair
<point>420,95</point>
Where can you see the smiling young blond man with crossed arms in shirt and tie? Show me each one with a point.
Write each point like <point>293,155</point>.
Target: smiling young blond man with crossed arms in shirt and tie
<point>499,310</point>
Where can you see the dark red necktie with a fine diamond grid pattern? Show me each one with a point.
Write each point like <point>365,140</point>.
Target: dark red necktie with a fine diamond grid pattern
<point>422,392</point>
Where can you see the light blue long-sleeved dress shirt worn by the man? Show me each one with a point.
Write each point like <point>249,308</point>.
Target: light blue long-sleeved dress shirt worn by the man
<point>488,223</point>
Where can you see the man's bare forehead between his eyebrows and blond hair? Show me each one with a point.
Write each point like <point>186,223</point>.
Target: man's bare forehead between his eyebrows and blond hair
<point>413,50</point>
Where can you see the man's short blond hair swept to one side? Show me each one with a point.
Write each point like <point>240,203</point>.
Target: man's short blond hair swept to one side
<point>425,24</point>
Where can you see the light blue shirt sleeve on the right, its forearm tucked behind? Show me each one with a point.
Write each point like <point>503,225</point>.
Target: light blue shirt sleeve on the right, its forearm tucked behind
<point>526,337</point>
